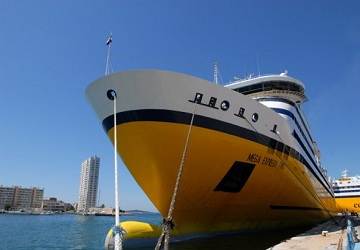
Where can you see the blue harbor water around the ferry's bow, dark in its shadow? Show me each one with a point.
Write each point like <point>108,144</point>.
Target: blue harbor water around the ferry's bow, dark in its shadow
<point>88,232</point>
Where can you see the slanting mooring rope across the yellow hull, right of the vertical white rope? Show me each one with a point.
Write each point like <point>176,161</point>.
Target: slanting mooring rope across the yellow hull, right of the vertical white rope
<point>168,223</point>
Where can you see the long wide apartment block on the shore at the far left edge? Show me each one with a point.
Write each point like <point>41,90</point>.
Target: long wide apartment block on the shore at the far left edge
<point>20,198</point>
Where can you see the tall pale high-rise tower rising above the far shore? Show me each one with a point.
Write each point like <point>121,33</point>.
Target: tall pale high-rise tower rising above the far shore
<point>89,179</point>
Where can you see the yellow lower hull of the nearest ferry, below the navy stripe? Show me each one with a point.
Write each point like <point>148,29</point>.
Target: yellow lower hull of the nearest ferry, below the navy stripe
<point>280,191</point>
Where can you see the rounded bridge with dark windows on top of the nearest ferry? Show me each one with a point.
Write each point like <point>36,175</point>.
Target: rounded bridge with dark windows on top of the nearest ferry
<point>282,86</point>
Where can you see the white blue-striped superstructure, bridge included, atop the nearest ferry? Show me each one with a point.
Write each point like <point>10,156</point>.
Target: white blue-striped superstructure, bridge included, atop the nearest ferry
<point>284,95</point>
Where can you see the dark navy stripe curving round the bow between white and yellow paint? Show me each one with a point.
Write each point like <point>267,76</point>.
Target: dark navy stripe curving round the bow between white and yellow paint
<point>209,123</point>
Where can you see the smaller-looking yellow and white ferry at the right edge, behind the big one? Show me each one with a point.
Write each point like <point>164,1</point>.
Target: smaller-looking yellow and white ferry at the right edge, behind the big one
<point>347,193</point>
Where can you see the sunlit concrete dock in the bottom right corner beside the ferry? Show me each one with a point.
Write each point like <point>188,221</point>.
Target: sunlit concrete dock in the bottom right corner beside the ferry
<point>331,235</point>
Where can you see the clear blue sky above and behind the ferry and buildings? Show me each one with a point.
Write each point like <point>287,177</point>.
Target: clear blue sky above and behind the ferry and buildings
<point>51,50</point>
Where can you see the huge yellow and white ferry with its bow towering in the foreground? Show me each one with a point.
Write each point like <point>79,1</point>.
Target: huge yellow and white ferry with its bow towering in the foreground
<point>251,162</point>
